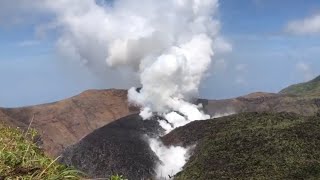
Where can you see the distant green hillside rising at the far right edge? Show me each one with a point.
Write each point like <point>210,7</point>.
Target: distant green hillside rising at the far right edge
<point>311,88</point>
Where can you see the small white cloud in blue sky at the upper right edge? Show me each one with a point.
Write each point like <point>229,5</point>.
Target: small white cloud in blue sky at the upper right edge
<point>309,25</point>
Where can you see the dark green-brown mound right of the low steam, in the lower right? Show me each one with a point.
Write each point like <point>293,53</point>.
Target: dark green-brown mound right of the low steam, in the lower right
<point>254,146</point>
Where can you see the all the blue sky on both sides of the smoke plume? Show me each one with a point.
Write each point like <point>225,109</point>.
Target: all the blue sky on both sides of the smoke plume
<point>264,56</point>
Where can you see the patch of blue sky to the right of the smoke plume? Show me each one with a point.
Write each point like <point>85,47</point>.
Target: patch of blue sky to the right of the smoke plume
<point>271,56</point>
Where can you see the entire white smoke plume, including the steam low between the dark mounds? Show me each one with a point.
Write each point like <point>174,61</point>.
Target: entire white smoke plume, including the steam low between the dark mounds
<point>167,44</point>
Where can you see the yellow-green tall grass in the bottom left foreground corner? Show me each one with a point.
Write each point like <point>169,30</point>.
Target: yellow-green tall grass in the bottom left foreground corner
<point>21,158</point>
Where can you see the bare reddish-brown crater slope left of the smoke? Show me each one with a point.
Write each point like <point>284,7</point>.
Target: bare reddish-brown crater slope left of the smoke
<point>63,123</point>
